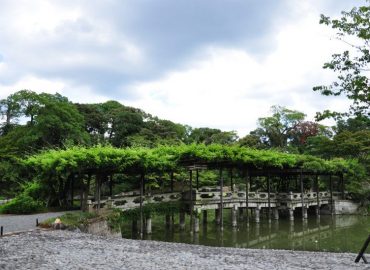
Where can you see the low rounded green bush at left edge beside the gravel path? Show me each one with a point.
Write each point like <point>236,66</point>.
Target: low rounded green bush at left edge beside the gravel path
<point>22,204</point>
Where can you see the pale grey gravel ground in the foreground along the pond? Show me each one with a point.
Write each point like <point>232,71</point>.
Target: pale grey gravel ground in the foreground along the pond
<point>73,250</point>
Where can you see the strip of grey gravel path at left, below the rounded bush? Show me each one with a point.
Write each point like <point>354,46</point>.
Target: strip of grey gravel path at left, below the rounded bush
<point>15,223</point>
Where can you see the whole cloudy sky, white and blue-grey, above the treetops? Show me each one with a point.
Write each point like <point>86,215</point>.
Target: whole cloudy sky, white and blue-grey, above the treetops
<point>214,63</point>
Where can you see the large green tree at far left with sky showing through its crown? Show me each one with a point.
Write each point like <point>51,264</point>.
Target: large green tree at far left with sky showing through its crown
<point>54,122</point>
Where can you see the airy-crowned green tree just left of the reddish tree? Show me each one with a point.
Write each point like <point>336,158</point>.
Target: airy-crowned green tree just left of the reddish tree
<point>276,130</point>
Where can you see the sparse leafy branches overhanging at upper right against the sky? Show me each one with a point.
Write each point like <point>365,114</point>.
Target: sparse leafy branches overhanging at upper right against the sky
<point>352,65</point>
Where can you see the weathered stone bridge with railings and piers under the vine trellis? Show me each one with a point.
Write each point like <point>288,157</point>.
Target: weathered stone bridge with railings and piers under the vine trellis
<point>211,198</point>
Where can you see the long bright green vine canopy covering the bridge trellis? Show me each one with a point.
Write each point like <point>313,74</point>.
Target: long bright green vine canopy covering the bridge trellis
<point>108,159</point>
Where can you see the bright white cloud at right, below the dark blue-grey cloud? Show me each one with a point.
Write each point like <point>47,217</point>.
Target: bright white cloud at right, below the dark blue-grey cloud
<point>230,89</point>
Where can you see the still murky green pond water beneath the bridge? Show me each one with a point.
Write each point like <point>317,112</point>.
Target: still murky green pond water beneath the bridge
<point>327,233</point>
